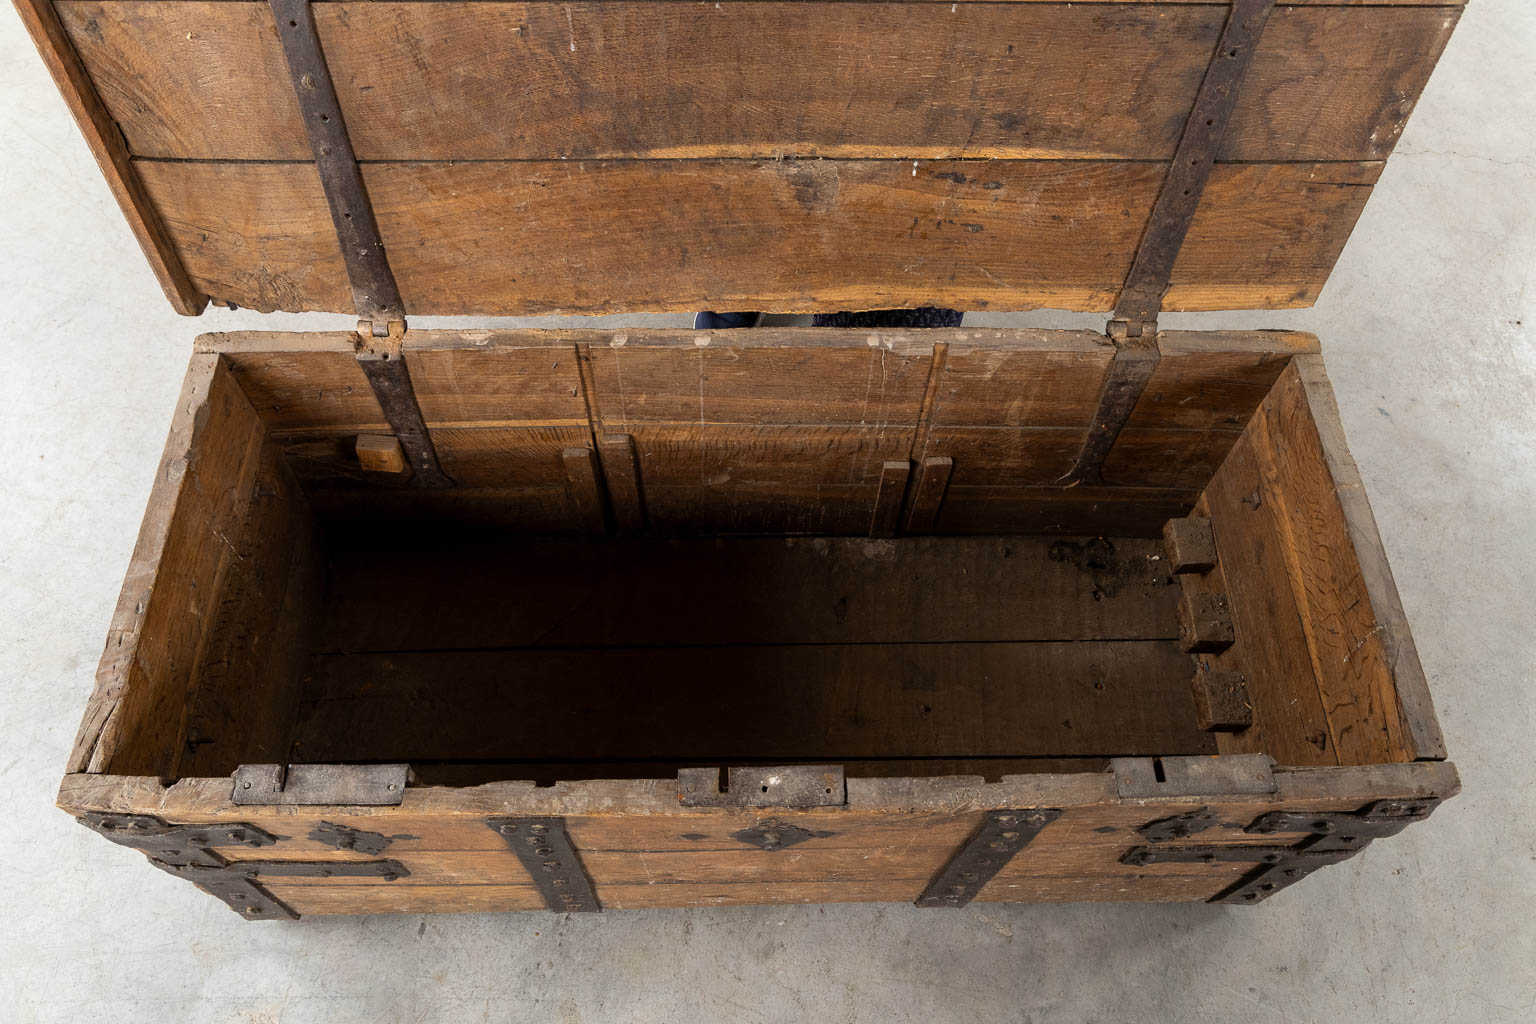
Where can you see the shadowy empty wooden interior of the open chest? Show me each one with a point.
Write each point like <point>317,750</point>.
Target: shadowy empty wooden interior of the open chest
<point>664,550</point>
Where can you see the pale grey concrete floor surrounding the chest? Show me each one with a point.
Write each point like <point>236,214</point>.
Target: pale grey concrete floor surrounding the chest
<point>1429,331</point>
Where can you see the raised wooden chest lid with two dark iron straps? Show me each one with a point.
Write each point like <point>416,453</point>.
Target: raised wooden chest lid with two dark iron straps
<point>508,159</point>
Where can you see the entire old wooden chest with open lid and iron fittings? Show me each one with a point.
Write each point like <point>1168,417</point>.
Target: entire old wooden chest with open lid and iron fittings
<point>647,618</point>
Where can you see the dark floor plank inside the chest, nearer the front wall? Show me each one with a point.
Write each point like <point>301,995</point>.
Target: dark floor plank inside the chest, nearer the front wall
<point>807,701</point>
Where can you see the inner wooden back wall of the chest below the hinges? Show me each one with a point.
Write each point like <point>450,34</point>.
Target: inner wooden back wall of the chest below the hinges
<point>773,431</point>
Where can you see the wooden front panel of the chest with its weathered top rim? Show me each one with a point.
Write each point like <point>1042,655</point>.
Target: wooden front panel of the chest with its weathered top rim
<point>884,847</point>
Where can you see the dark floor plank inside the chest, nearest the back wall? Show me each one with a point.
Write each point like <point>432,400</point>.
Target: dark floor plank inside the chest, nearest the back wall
<point>747,592</point>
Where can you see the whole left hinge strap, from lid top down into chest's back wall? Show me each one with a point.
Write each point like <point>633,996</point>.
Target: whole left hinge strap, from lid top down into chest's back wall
<point>376,296</point>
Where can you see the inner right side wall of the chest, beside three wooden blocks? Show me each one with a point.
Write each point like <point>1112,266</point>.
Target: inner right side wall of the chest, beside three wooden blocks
<point>1322,675</point>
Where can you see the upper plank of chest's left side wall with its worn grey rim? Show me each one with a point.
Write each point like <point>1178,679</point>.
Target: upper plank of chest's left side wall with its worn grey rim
<point>171,600</point>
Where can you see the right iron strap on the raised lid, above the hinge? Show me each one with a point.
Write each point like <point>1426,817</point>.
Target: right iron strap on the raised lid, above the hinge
<point>1147,285</point>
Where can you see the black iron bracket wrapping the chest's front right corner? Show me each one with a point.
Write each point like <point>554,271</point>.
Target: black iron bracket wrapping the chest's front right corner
<point>1332,837</point>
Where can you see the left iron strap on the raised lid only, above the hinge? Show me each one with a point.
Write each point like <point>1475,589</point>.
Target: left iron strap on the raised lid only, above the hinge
<point>374,291</point>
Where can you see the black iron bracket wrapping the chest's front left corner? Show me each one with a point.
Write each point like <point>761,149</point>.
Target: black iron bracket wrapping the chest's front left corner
<point>187,851</point>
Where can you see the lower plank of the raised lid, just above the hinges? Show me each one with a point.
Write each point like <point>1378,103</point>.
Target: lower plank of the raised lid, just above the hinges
<point>804,236</point>
